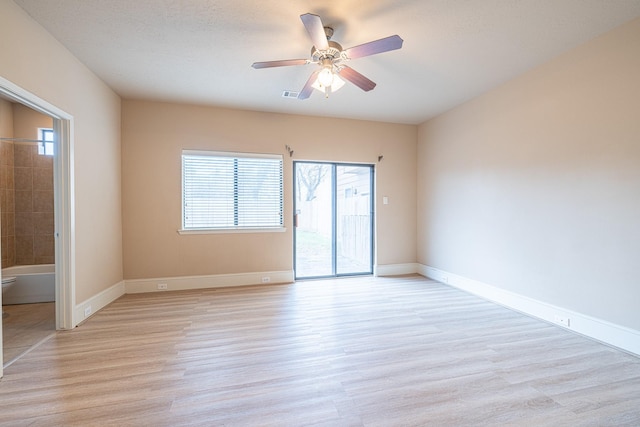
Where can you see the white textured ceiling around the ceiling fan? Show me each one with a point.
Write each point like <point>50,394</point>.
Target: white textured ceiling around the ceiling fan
<point>201,51</point>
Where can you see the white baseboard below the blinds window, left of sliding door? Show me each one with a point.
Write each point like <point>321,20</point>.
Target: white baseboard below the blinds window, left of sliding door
<point>201,282</point>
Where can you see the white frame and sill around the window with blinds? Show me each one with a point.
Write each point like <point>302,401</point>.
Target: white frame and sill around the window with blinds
<point>236,228</point>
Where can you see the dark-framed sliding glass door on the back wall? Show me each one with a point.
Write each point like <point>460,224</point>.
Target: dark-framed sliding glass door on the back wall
<point>333,219</point>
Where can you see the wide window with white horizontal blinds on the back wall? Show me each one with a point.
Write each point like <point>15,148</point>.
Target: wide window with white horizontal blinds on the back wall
<point>231,191</point>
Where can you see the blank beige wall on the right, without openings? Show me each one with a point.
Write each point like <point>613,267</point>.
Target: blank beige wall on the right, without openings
<point>534,187</point>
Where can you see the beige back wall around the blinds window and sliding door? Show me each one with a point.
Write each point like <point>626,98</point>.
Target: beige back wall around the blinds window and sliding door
<point>154,135</point>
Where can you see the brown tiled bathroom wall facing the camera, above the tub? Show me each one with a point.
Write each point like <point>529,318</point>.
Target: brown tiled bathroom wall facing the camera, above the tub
<point>34,221</point>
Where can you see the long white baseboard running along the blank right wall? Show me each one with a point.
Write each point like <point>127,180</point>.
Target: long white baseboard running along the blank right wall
<point>609,333</point>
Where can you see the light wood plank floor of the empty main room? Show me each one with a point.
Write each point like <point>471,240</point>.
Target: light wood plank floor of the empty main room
<point>350,352</point>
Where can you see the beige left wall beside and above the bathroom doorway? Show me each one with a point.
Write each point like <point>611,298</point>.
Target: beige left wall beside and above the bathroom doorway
<point>70,86</point>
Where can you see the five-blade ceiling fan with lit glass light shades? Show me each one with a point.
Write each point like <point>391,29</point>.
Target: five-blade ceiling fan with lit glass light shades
<point>331,59</point>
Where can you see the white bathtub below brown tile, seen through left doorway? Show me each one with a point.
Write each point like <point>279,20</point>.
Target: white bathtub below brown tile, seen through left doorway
<point>34,283</point>
